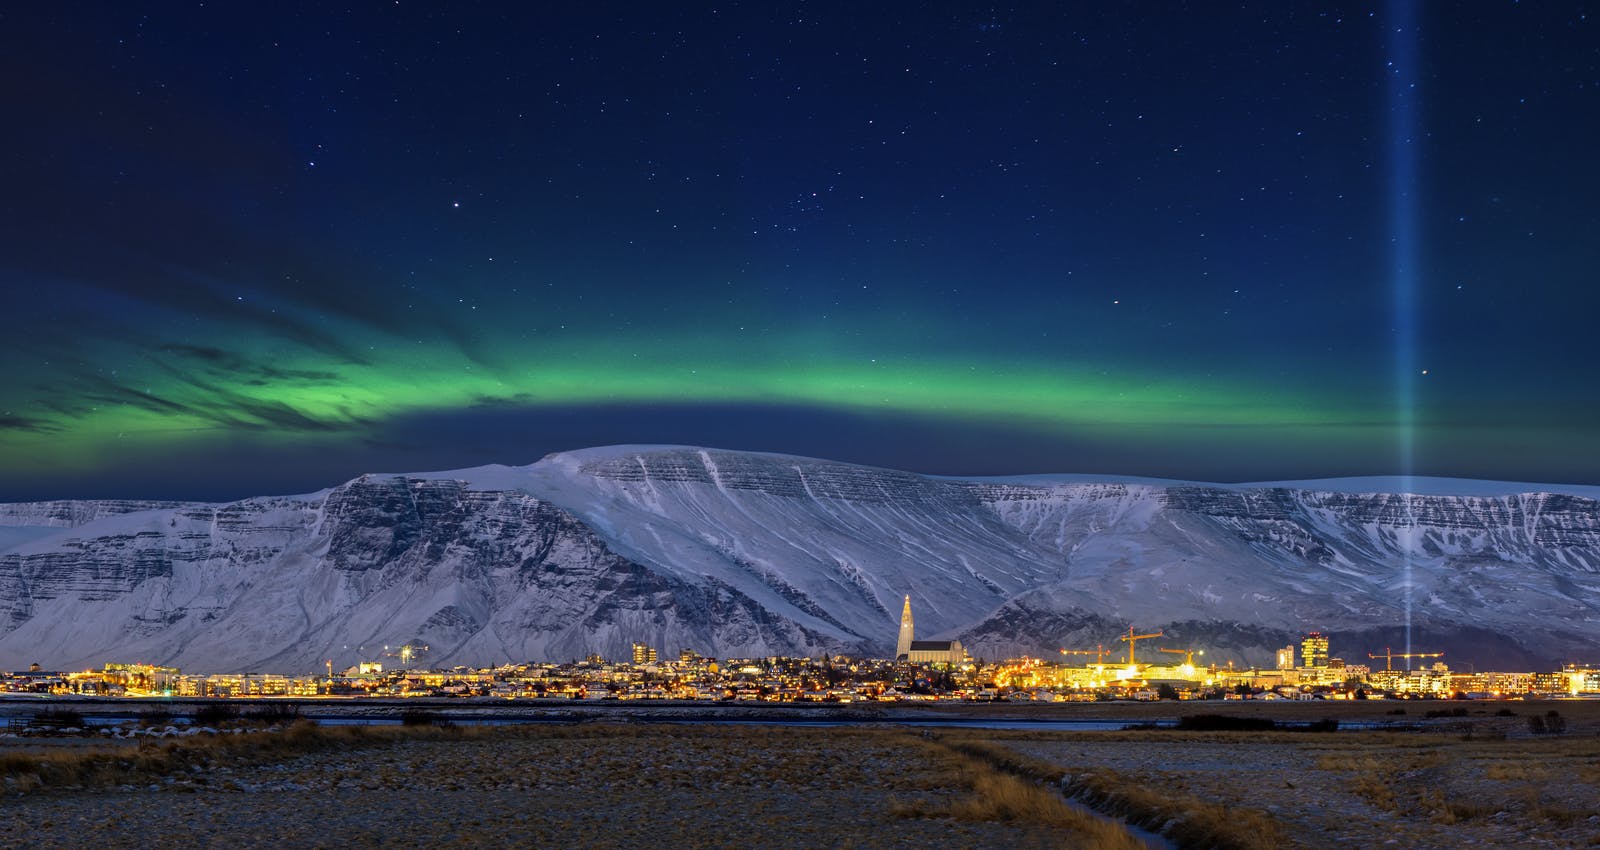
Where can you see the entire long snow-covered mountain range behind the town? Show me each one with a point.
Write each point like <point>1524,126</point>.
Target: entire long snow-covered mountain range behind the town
<point>738,555</point>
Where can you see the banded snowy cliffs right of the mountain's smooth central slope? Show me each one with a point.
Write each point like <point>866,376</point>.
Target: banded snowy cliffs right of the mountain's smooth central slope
<point>1500,580</point>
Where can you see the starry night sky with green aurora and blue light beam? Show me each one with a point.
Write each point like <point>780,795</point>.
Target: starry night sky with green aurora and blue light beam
<point>252,251</point>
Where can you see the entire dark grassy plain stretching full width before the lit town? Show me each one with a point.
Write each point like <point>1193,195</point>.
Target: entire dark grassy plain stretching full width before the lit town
<point>1476,780</point>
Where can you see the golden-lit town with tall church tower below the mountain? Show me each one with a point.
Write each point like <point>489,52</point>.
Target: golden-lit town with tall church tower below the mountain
<point>922,672</point>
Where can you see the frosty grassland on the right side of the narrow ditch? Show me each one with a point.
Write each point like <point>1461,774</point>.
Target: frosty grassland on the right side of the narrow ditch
<point>1346,790</point>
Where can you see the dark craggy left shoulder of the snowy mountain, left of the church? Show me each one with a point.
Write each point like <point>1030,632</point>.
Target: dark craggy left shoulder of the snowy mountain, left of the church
<point>282,585</point>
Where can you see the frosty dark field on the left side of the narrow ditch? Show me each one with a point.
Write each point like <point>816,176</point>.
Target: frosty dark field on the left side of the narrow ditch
<point>542,787</point>
